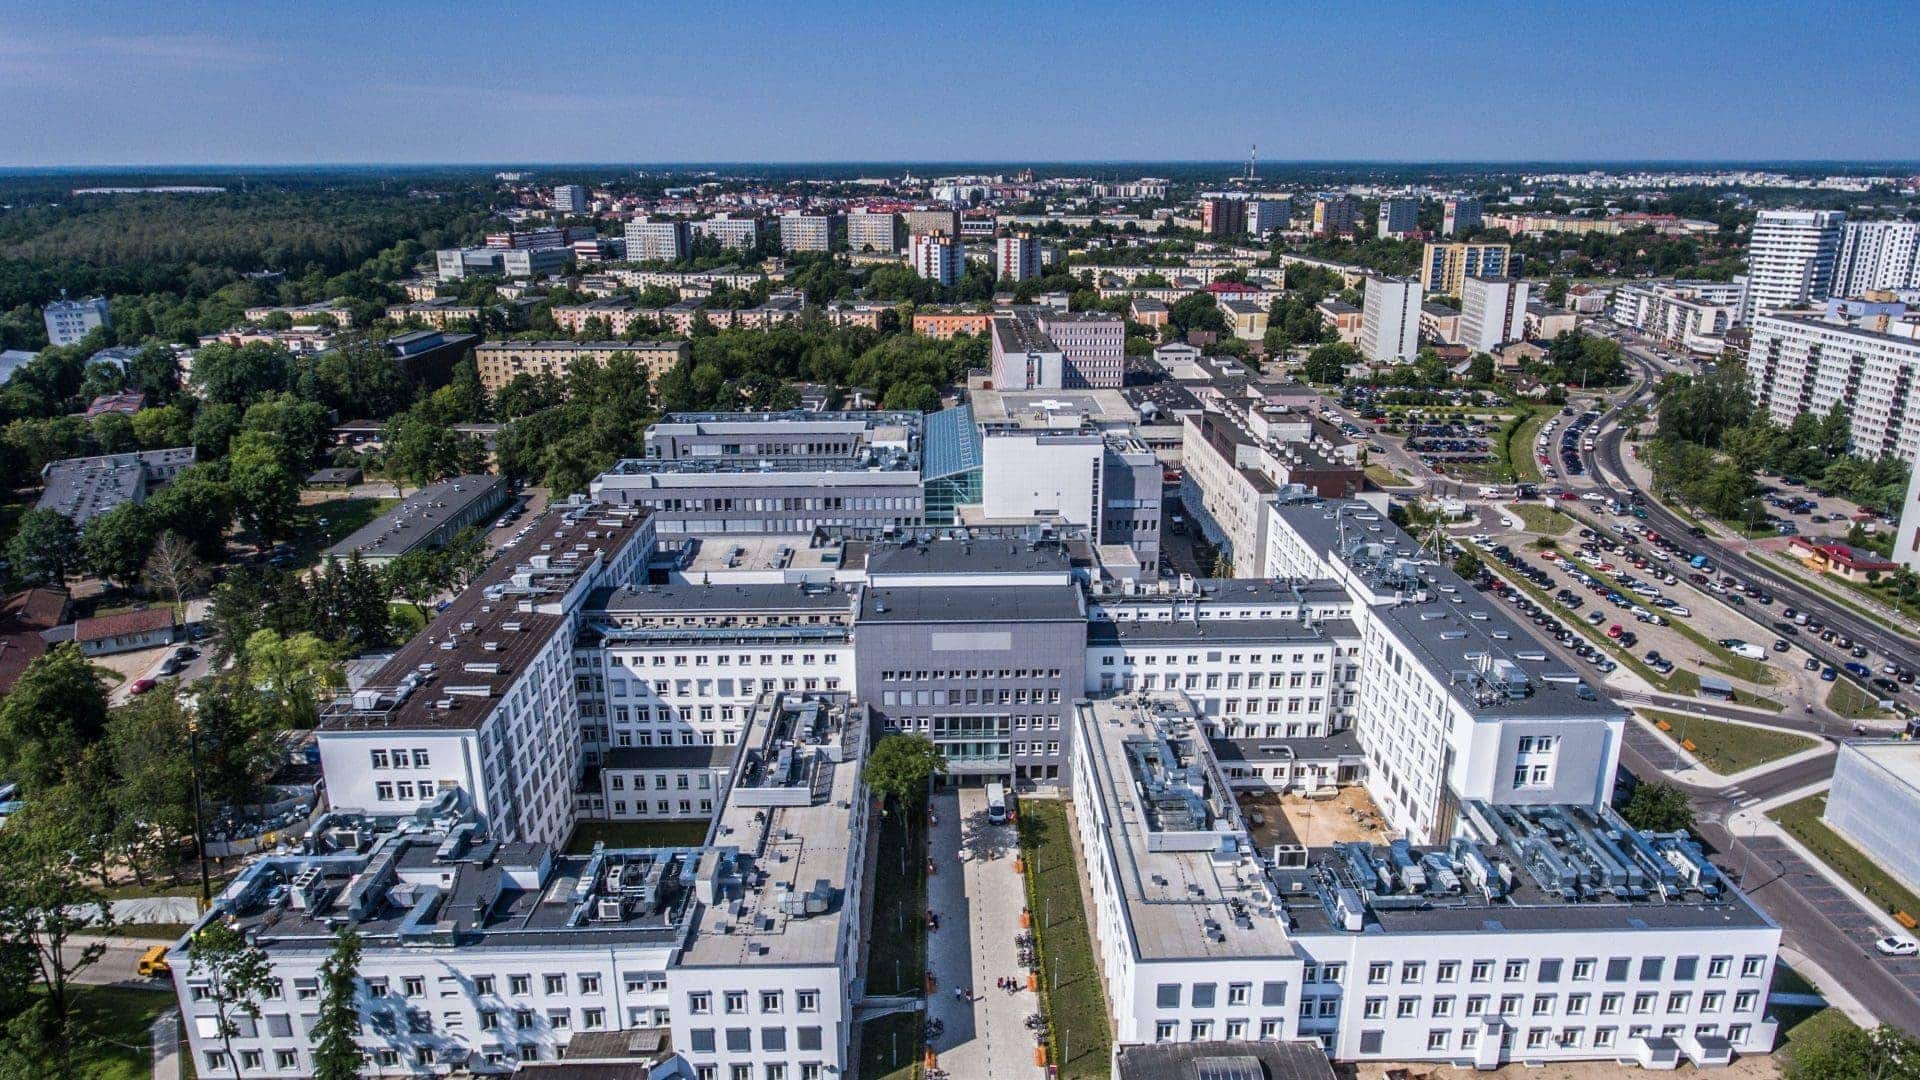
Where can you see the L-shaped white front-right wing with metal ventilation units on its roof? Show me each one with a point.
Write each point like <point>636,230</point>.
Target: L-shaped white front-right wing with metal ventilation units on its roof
<point>1537,935</point>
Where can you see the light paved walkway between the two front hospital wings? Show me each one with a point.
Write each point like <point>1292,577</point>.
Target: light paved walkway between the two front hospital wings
<point>978,898</point>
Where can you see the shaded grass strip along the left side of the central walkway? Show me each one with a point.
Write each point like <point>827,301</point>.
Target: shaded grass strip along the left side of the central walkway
<point>898,946</point>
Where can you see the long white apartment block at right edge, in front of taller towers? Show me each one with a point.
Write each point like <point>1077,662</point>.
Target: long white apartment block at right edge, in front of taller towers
<point>1802,362</point>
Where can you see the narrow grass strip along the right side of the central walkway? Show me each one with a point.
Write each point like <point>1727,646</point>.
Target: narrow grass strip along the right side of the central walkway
<point>1076,1006</point>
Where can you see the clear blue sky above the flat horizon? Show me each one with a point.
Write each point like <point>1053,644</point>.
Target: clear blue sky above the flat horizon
<point>811,82</point>
